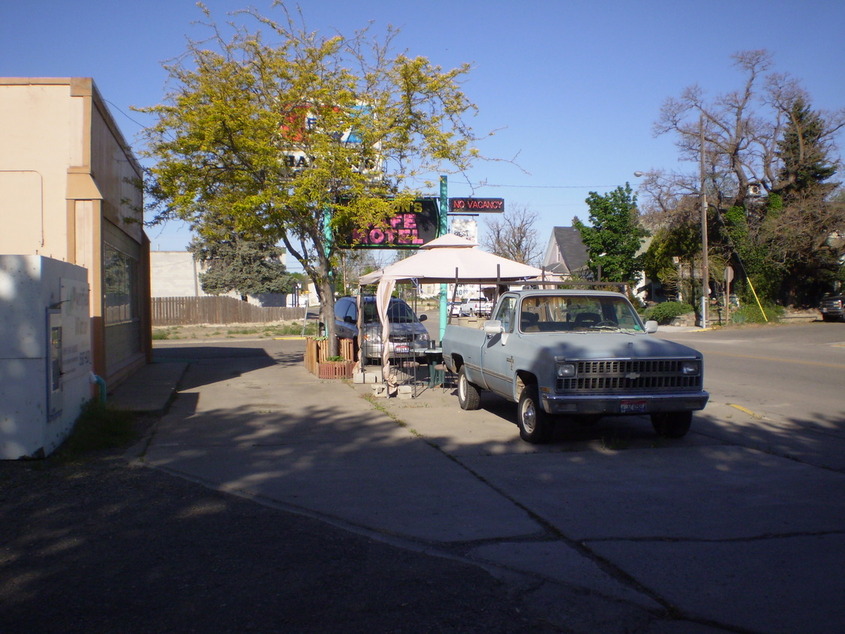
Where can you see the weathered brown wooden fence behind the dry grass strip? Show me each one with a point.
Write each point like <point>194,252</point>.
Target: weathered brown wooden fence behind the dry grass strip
<point>187,311</point>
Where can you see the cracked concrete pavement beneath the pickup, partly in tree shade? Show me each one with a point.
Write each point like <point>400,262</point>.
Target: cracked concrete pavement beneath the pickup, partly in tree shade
<point>709,532</point>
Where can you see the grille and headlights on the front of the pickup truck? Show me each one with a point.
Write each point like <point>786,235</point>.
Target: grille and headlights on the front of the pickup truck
<point>630,375</point>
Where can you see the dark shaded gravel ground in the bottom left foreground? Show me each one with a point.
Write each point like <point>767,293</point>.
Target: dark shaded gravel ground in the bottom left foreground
<point>109,545</point>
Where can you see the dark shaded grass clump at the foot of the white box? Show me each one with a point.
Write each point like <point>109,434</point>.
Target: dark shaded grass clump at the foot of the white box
<point>98,428</point>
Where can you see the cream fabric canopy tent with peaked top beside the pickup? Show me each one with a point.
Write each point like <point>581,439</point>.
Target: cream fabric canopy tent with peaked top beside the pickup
<point>449,258</point>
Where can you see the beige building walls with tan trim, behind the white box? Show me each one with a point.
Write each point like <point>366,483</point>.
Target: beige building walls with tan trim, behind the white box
<point>66,173</point>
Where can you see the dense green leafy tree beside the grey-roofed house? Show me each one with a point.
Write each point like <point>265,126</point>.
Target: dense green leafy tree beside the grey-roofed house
<point>614,235</point>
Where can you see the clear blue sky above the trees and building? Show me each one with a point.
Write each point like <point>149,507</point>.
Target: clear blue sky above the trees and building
<point>573,87</point>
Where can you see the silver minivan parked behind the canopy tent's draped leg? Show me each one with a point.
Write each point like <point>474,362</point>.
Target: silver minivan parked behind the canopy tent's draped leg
<point>408,336</point>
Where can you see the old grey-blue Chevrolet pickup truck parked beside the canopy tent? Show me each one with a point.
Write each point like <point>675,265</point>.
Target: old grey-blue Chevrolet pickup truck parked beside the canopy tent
<point>581,354</point>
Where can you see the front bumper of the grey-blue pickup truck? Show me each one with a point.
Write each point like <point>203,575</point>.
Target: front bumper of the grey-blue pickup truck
<point>622,405</point>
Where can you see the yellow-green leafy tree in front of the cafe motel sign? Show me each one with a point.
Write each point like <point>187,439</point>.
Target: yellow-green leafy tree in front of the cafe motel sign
<point>295,136</point>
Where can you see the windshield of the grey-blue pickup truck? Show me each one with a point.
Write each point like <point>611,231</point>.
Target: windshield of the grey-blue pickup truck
<point>567,313</point>
